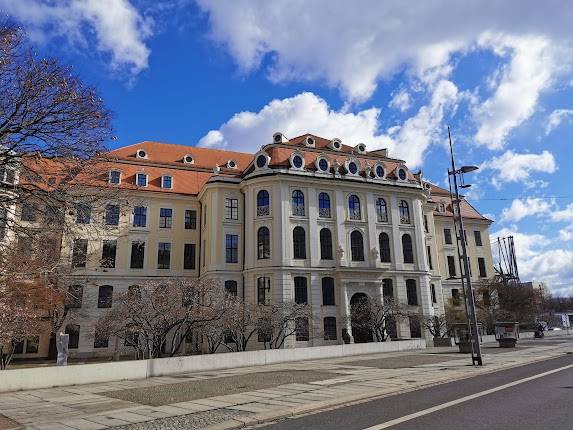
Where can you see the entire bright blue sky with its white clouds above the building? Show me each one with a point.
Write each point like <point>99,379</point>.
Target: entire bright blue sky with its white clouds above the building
<point>229,74</point>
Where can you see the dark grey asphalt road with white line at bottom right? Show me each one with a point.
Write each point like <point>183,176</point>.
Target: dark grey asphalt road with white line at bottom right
<point>542,403</point>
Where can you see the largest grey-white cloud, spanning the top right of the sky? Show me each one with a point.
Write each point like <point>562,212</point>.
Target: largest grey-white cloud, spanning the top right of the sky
<point>341,45</point>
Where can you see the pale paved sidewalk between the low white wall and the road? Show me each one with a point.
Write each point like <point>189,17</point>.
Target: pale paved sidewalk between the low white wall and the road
<point>237,397</point>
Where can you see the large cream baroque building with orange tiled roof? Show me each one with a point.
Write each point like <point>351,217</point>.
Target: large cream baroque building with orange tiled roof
<point>307,219</point>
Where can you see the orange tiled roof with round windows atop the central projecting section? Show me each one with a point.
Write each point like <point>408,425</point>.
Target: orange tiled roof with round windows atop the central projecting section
<point>280,157</point>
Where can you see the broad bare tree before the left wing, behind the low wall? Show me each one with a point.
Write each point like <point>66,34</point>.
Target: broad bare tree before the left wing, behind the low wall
<point>156,317</point>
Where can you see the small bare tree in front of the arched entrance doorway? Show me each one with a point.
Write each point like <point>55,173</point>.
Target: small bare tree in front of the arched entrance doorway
<point>377,317</point>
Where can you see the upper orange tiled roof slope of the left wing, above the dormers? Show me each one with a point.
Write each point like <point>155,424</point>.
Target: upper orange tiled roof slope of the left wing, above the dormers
<point>167,153</point>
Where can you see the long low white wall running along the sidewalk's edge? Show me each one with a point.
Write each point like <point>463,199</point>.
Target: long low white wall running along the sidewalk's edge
<point>46,377</point>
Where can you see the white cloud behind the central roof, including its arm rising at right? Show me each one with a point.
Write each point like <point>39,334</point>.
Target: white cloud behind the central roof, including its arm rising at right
<point>308,113</point>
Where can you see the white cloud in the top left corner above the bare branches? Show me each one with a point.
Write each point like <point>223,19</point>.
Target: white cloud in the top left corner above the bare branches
<point>118,27</point>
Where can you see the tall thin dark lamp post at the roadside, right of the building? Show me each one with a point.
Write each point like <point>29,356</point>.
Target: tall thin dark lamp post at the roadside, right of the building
<point>453,176</point>
